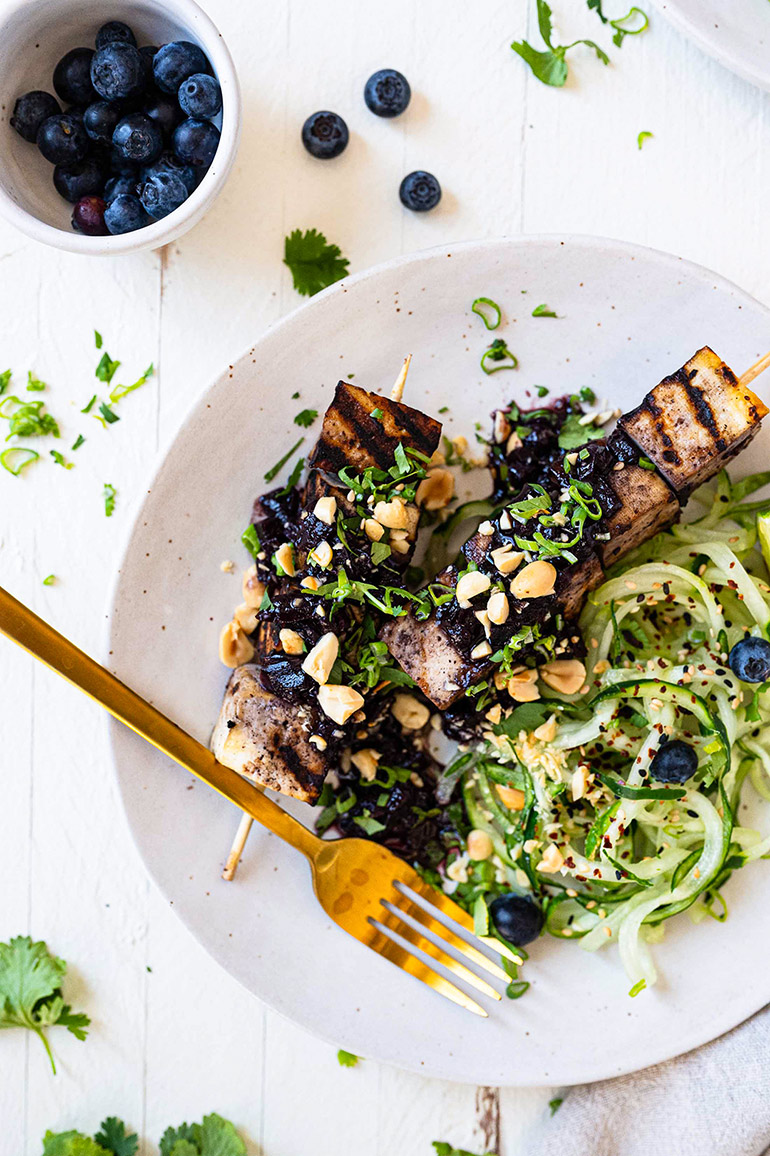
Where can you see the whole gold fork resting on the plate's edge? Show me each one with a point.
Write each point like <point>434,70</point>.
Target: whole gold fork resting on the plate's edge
<point>362,887</point>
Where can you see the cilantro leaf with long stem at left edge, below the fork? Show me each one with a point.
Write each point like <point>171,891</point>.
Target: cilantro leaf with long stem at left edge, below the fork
<point>31,991</point>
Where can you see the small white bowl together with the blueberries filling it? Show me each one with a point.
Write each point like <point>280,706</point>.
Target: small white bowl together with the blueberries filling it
<point>117,134</point>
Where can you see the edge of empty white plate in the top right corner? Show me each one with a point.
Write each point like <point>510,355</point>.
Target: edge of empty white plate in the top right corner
<point>737,33</point>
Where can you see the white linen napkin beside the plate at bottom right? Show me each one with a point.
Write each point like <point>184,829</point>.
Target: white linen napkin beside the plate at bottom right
<point>713,1102</point>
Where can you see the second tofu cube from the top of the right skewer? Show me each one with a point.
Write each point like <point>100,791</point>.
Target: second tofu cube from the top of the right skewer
<point>647,507</point>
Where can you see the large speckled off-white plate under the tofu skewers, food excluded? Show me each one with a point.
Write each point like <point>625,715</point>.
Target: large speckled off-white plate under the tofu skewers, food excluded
<point>627,316</point>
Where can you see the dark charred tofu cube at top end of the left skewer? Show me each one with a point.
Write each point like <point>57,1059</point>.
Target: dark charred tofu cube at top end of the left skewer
<point>351,438</point>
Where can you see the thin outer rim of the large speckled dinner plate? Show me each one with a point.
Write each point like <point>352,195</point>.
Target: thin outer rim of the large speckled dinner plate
<point>593,1066</point>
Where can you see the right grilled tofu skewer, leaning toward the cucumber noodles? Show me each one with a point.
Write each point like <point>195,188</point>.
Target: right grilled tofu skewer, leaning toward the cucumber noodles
<point>682,435</point>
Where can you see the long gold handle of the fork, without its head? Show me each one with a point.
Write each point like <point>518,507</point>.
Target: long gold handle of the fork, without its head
<point>19,624</point>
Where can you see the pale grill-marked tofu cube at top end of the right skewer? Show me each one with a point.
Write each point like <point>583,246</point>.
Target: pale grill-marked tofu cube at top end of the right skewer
<point>695,421</point>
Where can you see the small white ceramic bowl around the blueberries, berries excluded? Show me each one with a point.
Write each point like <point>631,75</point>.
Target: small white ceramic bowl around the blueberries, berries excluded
<point>34,36</point>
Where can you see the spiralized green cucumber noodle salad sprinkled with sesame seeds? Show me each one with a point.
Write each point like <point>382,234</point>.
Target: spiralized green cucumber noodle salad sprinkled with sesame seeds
<point>609,851</point>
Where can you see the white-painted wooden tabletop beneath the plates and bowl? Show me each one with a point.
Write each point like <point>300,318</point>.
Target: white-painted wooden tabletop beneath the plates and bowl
<point>174,1036</point>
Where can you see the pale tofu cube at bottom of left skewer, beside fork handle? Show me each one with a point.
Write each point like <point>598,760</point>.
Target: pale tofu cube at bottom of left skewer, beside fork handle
<point>268,740</point>
